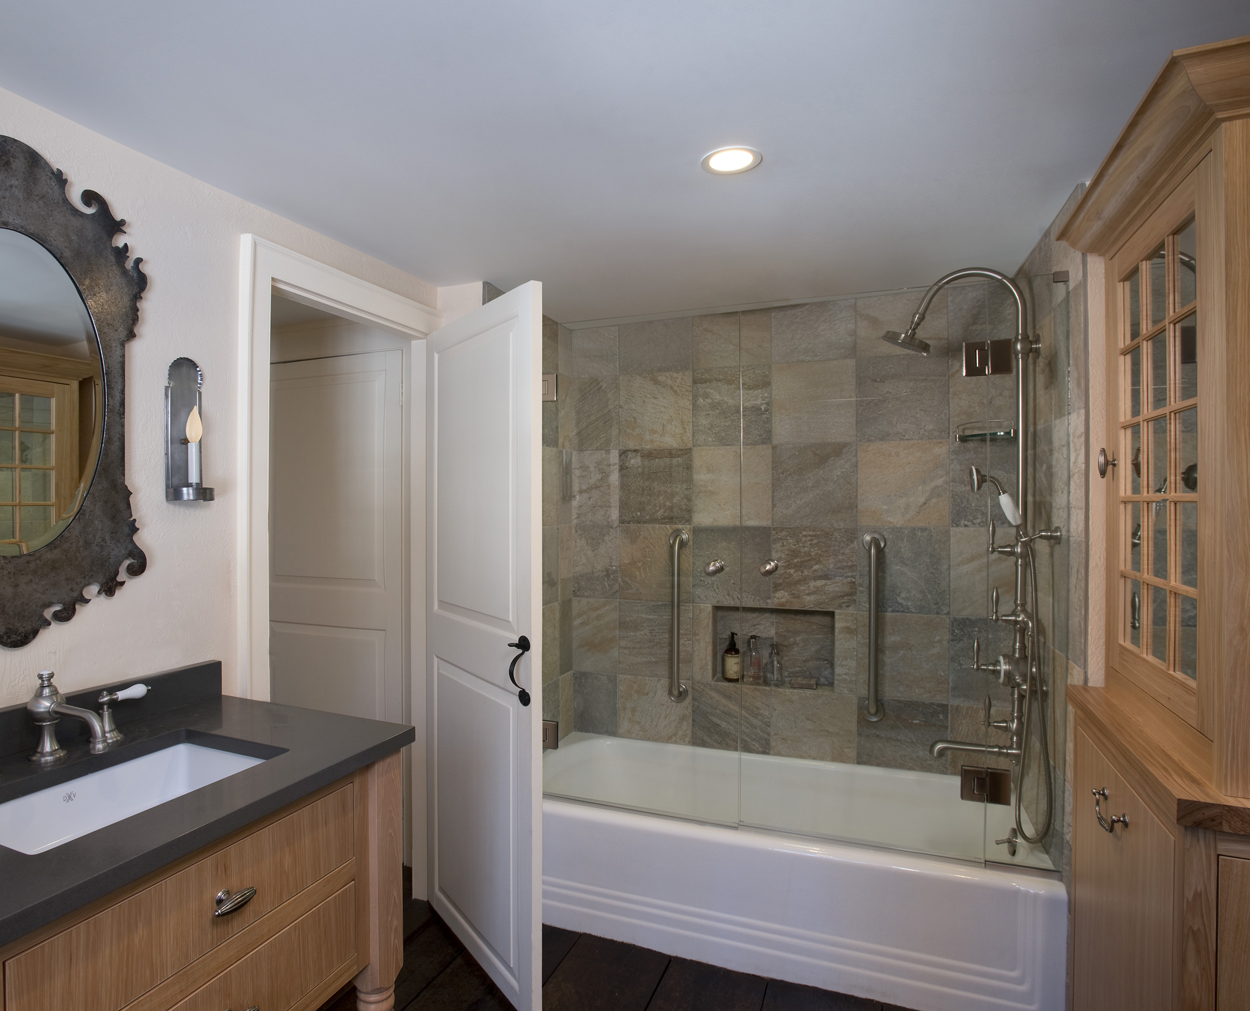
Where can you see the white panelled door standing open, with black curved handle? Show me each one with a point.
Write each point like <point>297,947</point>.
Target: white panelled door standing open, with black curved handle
<point>484,562</point>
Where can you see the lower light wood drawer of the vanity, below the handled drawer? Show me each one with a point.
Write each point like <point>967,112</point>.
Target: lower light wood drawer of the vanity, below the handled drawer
<point>289,967</point>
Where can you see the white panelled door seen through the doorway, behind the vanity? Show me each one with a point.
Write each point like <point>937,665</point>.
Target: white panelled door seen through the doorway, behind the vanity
<point>337,619</point>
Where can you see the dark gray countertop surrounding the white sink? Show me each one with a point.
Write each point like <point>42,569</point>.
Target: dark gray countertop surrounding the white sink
<point>317,749</point>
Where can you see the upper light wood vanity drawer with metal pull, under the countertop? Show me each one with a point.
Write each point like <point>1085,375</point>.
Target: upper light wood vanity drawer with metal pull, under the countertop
<point>111,959</point>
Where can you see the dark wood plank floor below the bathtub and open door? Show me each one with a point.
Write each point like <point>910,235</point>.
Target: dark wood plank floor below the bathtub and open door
<point>583,973</point>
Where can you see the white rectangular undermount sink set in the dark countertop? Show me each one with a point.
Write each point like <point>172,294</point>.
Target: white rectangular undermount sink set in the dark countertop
<point>42,822</point>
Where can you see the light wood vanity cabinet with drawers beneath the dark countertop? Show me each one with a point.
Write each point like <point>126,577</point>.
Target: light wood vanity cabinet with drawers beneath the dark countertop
<point>328,910</point>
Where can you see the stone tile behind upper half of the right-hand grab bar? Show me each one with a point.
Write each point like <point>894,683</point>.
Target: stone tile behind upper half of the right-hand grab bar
<point>916,572</point>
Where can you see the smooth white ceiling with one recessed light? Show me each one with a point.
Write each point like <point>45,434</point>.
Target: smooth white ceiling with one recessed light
<point>561,139</point>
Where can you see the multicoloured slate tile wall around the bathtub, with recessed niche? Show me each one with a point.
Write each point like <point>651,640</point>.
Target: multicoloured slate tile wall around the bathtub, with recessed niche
<point>789,433</point>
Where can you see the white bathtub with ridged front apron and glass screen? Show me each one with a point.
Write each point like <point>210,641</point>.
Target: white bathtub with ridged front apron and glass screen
<point>921,932</point>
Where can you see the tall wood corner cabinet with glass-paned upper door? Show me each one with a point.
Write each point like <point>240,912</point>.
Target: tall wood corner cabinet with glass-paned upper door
<point>1162,753</point>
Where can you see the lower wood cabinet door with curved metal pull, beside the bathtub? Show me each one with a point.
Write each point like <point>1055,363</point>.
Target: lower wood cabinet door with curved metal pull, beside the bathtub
<point>1123,905</point>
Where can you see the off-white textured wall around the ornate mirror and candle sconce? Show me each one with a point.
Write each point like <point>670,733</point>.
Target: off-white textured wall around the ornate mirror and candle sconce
<point>182,609</point>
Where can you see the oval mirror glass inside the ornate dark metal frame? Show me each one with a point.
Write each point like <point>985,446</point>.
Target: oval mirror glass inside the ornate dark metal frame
<point>52,397</point>
